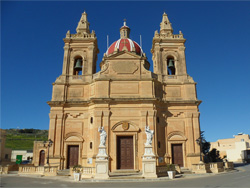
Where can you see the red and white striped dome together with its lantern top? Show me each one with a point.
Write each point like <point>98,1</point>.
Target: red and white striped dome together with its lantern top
<point>124,43</point>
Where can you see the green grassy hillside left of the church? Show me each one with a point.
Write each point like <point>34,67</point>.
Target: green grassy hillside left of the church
<point>23,139</point>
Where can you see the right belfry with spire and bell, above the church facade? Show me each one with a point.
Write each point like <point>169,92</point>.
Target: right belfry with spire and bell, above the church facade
<point>169,52</point>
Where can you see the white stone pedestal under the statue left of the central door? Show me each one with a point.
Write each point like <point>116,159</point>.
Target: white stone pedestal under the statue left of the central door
<point>102,164</point>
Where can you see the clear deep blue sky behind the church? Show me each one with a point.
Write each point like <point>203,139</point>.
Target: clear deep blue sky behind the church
<point>217,54</point>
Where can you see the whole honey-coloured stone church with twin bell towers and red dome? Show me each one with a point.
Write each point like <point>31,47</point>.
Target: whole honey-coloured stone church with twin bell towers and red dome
<point>122,98</point>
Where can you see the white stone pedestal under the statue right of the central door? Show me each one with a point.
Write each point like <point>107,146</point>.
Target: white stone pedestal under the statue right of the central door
<point>149,163</point>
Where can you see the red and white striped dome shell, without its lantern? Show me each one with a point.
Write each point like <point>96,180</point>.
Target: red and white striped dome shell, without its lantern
<point>131,46</point>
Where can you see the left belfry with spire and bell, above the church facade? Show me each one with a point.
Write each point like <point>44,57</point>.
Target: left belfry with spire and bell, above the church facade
<point>80,53</point>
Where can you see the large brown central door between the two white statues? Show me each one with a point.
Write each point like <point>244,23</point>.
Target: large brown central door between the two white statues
<point>125,152</point>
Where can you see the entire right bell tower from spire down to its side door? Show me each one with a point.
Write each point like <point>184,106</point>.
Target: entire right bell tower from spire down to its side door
<point>179,96</point>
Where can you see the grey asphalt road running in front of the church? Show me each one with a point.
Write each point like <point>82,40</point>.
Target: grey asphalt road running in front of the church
<point>239,178</point>
